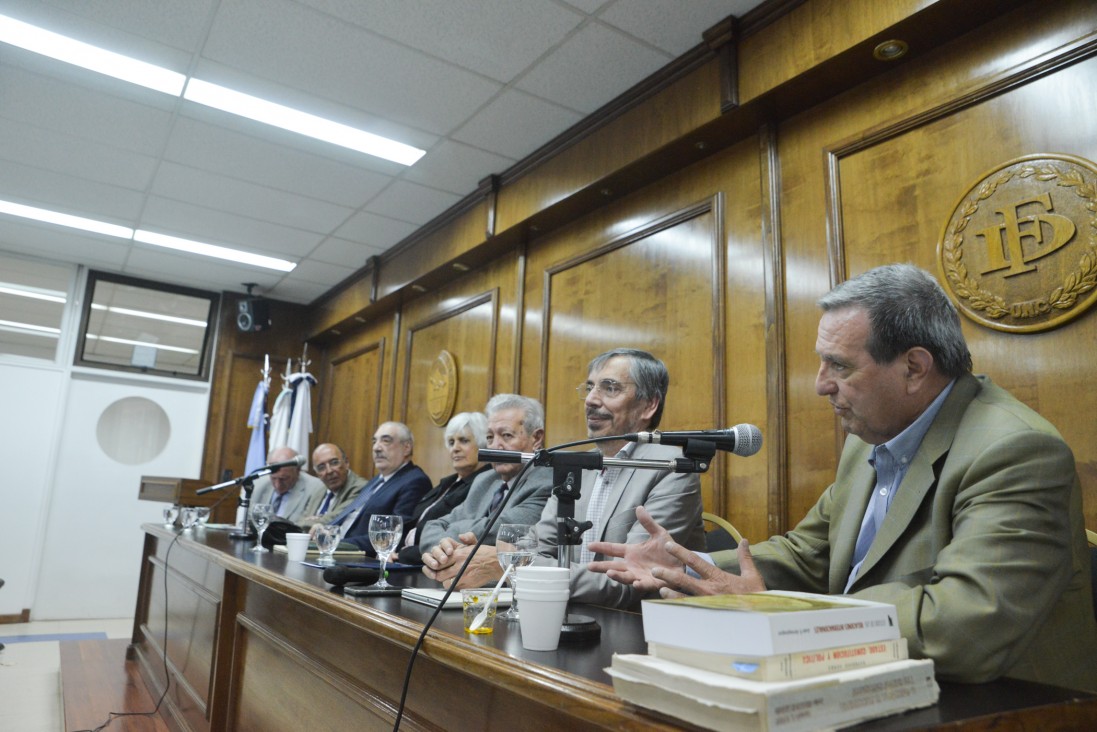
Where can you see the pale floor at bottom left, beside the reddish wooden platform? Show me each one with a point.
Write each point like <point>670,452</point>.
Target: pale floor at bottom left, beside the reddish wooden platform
<point>30,670</point>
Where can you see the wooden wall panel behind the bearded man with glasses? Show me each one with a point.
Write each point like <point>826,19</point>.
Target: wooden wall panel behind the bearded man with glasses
<point>676,269</point>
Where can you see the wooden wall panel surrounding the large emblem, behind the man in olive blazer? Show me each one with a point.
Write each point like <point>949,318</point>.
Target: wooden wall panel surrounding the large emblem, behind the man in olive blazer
<point>876,175</point>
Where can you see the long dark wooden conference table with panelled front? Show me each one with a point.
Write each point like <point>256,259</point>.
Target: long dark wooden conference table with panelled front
<point>253,641</point>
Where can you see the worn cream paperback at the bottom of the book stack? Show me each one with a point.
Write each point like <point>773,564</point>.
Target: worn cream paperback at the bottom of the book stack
<point>719,702</point>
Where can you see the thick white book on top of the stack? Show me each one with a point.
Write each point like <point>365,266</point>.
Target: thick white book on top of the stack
<point>767,624</point>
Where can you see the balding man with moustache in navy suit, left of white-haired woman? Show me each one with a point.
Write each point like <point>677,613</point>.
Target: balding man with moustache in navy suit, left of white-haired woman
<point>398,488</point>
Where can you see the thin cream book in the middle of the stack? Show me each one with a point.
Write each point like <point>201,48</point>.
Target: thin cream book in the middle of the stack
<point>786,667</point>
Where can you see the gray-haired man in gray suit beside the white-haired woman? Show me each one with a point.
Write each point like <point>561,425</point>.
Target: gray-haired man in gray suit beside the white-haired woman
<point>514,423</point>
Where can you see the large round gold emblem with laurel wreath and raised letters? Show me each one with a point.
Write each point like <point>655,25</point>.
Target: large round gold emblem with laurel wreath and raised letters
<point>1020,252</point>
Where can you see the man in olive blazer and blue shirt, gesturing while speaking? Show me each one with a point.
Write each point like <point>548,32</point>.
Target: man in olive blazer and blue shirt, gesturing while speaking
<point>954,502</point>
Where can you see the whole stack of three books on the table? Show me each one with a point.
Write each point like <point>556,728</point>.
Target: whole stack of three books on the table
<point>773,661</point>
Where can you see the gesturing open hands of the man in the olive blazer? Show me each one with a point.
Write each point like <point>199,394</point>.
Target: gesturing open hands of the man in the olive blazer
<point>660,565</point>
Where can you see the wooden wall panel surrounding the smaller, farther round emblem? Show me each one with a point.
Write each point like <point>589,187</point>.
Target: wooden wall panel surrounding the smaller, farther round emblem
<point>468,331</point>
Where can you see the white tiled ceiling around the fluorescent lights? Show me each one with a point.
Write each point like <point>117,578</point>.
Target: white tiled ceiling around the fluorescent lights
<point>478,84</point>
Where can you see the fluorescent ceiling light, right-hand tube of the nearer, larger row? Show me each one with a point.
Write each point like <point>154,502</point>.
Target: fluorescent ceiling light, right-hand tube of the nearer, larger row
<point>261,110</point>
